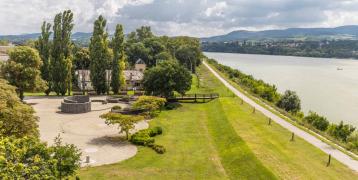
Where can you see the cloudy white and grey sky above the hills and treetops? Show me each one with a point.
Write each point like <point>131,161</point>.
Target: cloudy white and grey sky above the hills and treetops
<point>199,18</point>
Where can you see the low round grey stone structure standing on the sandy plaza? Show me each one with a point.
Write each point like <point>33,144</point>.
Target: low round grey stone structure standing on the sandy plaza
<point>76,104</point>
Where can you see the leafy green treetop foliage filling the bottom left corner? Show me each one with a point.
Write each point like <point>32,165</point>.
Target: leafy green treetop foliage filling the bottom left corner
<point>28,158</point>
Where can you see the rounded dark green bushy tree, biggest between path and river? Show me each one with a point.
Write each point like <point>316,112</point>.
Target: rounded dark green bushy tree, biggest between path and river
<point>290,102</point>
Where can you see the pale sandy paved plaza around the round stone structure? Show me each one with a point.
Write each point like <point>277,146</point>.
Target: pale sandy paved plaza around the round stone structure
<point>87,131</point>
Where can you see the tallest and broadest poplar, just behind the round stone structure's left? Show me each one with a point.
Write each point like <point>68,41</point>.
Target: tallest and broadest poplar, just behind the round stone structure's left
<point>61,52</point>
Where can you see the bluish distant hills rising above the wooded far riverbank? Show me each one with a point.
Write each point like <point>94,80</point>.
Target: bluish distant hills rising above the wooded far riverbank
<point>342,32</point>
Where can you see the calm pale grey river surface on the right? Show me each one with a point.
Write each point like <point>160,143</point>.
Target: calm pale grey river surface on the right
<point>321,87</point>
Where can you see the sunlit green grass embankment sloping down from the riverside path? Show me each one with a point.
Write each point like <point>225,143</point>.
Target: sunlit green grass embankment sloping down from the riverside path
<point>221,139</point>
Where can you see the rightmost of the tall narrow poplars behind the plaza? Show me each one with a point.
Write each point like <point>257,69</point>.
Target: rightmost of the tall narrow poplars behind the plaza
<point>117,45</point>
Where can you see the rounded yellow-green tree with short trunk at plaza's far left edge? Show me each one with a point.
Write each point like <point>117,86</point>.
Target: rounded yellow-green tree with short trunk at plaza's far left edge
<point>23,70</point>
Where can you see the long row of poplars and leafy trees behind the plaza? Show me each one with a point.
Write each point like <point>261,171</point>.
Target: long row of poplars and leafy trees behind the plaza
<point>60,57</point>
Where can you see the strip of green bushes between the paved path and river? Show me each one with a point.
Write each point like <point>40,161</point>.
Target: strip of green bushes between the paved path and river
<point>344,134</point>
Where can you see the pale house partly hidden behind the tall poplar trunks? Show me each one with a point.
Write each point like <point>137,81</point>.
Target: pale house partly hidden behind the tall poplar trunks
<point>133,77</point>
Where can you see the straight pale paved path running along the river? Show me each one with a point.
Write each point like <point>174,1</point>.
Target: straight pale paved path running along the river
<point>337,154</point>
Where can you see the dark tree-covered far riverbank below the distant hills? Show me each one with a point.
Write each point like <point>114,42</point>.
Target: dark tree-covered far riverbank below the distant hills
<point>325,48</point>
